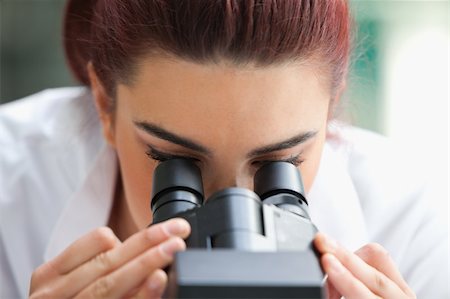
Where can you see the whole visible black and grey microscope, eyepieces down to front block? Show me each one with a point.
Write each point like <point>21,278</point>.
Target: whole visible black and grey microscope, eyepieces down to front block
<point>243,243</point>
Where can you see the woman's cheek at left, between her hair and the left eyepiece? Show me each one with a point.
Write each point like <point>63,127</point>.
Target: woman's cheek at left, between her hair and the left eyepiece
<point>136,171</point>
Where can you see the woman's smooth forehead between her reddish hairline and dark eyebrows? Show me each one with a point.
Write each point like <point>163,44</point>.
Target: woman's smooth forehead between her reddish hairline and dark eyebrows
<point>201,99</point>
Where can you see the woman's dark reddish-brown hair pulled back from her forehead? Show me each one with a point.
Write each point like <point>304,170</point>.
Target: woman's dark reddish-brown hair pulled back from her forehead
<point>113,34</point>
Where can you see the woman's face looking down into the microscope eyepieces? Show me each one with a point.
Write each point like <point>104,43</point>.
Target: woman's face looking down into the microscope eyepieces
<point>229,119</point>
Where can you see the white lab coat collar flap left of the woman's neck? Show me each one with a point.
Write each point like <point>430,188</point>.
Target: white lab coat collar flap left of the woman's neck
<point>90,206</point>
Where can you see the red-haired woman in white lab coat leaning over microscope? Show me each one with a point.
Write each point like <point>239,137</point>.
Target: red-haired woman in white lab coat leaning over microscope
<point>230,85</point>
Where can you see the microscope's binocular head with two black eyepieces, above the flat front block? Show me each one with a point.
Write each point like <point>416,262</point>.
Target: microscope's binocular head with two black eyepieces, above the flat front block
<point>272,217</point>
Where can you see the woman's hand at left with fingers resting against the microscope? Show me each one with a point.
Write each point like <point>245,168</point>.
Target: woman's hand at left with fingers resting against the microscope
<point>98,265</point>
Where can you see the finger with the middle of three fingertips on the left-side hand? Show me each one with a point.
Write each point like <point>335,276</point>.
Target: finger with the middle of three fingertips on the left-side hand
<point>130,276</point>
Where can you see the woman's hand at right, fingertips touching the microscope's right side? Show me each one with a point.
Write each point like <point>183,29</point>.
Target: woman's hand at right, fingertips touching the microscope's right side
<point>368,273</point>
